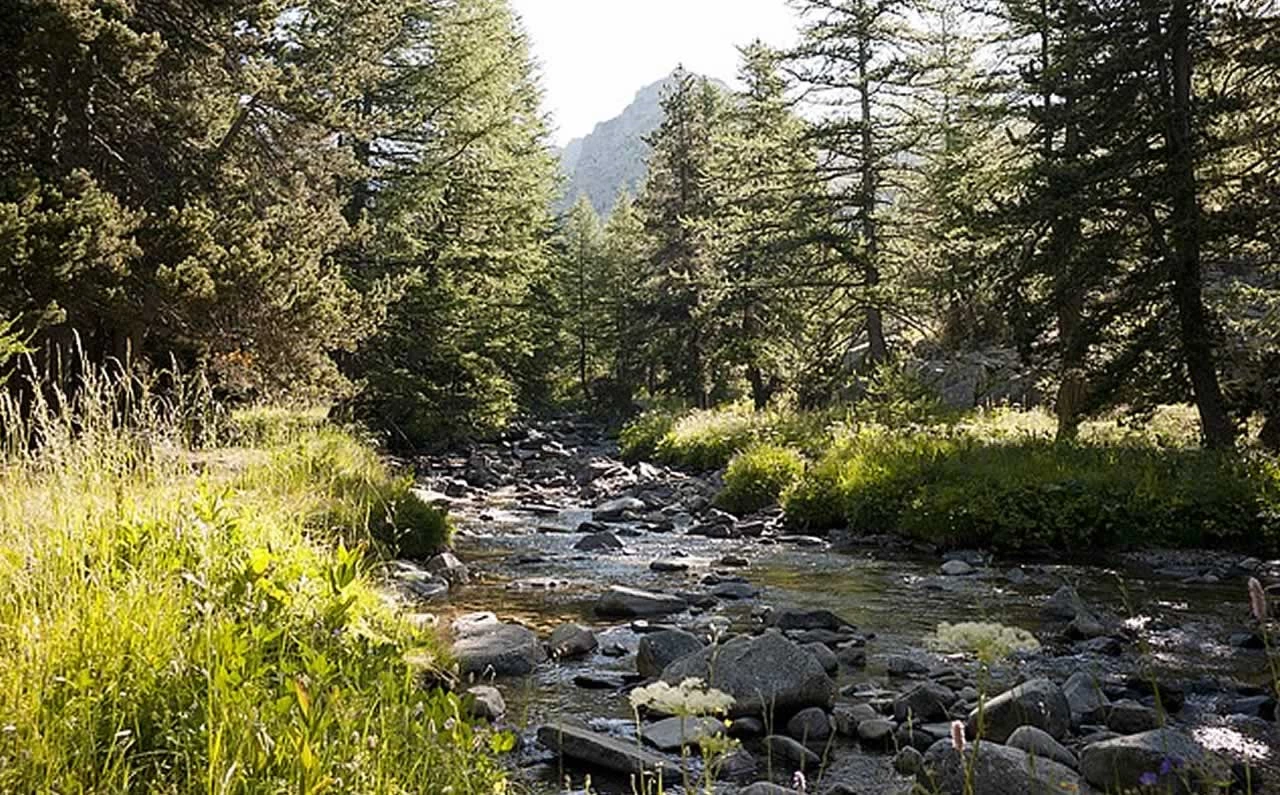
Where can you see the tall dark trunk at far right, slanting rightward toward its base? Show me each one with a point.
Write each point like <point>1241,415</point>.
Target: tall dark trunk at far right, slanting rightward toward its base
<point>1186,237</point>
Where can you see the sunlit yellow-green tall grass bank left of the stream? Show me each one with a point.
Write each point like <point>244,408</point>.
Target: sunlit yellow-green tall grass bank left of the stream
<point>179,620</point>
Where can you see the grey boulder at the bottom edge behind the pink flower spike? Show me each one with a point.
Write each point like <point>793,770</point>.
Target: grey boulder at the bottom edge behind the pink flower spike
<point>994,770</point>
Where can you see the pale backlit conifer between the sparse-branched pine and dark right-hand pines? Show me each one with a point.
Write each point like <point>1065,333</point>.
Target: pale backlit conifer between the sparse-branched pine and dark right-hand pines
<point>962,171</point>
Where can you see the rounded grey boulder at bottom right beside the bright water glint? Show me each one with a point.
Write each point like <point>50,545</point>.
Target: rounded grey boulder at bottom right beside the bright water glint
<point>1121,764</point>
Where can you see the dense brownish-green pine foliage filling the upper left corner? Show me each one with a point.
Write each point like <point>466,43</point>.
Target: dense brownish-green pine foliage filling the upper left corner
<point>167,184</point>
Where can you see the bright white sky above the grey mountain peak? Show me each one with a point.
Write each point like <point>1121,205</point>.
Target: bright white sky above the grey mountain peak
<point>596,54</point>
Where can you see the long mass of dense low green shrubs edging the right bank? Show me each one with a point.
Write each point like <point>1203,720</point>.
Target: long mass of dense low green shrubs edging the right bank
<point>1032,495</point>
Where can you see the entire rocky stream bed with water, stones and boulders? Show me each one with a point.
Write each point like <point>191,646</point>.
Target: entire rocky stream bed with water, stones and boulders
<point>577,578</point>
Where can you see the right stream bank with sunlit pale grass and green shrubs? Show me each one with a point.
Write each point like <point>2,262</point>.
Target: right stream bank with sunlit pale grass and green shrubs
<point>995,481</point>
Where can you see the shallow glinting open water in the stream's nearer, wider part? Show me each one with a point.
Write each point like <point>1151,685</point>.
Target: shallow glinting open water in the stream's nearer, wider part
<point>524,569</point>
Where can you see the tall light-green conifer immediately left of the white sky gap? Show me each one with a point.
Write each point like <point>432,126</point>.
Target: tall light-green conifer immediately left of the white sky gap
<point>460,200</point>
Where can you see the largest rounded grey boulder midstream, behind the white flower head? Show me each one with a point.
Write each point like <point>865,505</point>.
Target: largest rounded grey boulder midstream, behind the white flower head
<point>764,674</point>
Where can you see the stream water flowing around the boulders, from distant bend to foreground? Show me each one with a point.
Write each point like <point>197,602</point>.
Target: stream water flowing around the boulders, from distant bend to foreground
<point>1176,620</point>
